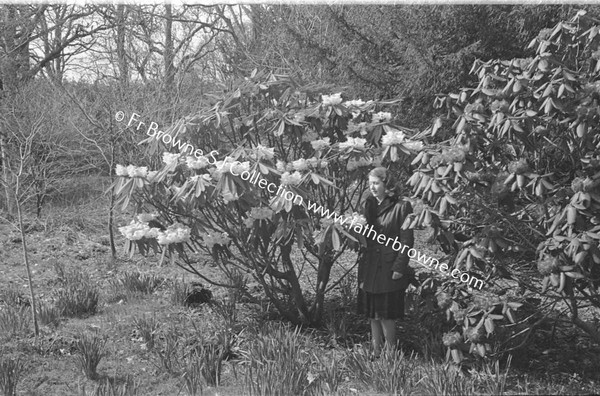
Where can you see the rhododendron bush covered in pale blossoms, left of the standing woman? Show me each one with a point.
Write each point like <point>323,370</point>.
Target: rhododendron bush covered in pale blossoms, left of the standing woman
<point>308,143</point>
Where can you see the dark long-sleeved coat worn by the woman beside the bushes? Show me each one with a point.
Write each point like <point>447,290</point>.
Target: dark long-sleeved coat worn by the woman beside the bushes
<point>380,261</point>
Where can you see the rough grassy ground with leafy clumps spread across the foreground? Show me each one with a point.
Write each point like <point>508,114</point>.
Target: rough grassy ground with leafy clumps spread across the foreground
<point>231,345</point>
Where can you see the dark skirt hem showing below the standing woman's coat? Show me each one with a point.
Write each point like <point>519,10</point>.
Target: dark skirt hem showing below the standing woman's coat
<point>381,305</point>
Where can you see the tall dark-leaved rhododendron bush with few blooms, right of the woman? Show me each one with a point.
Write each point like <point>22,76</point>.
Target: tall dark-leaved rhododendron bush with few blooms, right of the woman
<point>513,190</point>
